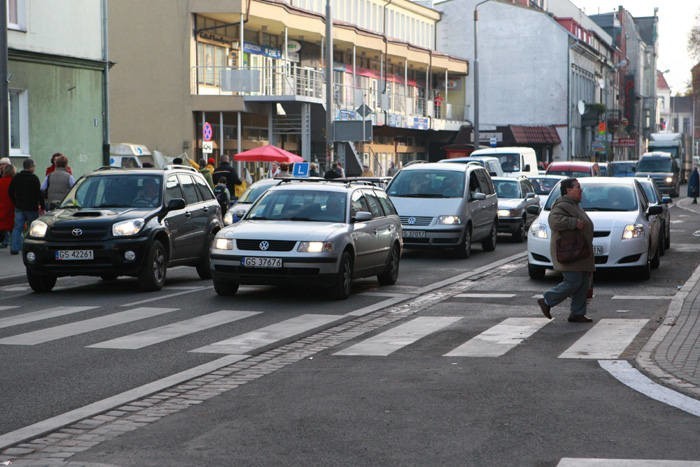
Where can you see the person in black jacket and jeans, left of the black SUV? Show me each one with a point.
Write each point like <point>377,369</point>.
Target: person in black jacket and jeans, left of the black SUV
<point>25,193</point>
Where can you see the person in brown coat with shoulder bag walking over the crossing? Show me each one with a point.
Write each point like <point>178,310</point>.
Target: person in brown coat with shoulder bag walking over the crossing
<point>571,248</point>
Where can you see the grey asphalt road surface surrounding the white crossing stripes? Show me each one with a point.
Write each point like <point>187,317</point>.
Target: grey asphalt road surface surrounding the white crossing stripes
<point>412,406</point>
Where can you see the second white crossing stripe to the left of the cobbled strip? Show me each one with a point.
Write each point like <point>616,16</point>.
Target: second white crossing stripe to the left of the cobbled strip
<point>160,334</point>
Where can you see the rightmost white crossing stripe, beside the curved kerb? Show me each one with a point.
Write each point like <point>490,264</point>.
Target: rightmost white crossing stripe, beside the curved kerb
<point>606,340</point>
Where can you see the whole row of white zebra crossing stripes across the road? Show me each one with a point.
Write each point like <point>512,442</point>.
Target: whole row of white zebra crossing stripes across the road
<point>605,339</point>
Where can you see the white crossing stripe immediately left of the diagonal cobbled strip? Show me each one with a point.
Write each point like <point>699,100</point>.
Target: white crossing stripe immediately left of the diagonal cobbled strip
<point>247,342</point>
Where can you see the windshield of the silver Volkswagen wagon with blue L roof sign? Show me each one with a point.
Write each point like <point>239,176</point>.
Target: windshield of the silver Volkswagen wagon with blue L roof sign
<point>300,205</point>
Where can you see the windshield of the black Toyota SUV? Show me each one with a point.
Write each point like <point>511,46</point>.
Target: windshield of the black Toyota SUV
<point>115,191</point>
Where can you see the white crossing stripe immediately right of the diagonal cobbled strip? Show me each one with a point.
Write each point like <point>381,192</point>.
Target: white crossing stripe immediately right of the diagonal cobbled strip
<point>405,334</point>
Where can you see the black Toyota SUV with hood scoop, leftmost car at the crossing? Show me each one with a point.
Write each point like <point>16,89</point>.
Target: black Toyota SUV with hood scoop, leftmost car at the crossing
<point>125,222</point>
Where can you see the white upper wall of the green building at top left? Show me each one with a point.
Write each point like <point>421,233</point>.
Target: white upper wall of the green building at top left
<point>62,27</point>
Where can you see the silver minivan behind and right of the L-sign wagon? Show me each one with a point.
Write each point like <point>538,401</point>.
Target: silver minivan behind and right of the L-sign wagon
<point>446,206</point>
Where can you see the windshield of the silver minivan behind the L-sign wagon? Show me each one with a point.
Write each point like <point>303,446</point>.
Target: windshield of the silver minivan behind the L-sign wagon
<point>427,184</point>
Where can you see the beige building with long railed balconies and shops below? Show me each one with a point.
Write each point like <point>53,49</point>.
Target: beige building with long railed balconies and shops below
<point>255,71</point>
